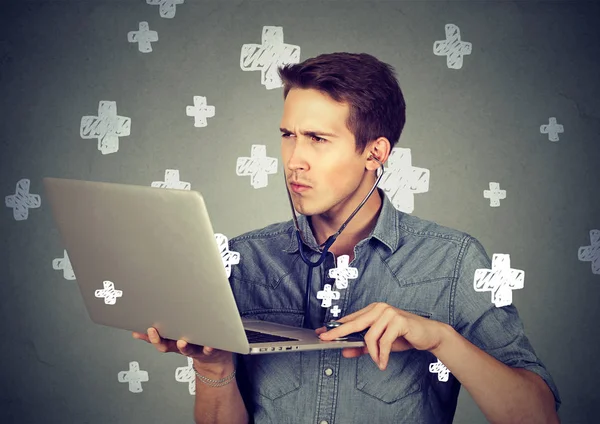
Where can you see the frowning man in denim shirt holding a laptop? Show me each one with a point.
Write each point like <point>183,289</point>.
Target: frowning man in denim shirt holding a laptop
<point>414,293</point>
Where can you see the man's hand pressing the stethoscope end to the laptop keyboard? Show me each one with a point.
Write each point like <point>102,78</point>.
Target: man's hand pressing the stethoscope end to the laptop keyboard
<point>391,330</point>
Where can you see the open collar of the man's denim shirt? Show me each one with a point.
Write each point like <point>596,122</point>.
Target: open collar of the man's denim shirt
<point>386,229</point>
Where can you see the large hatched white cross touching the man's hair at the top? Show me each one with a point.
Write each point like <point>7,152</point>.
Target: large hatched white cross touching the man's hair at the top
<point>269,55</point>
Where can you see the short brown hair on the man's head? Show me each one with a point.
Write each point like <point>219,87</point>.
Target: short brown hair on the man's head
<point>369,86</point>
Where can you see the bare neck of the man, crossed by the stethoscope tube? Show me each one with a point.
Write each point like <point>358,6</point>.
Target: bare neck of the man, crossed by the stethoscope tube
<point>358,228</point>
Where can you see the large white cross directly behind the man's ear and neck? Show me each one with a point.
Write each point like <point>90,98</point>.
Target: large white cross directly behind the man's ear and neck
<point>401,181</point>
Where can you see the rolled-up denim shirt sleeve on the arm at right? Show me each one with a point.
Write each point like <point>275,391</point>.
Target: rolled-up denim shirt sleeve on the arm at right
<point>496,330</point>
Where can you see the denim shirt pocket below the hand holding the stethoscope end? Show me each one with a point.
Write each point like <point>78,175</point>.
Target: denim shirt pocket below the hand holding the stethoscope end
<point>403,376</point>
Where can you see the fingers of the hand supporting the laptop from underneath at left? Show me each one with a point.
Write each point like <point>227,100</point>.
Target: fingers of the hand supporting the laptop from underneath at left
<point>203,354</point>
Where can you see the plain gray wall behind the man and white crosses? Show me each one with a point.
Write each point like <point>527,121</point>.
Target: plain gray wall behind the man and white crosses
<point>530,61</point>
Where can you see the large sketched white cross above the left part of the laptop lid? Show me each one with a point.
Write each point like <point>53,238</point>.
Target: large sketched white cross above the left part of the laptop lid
<point>107,127</point>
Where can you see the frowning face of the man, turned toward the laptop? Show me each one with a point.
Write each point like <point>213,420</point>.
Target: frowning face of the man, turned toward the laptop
<point>319,152</point>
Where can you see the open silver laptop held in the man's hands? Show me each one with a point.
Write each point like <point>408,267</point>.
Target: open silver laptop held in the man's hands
<point>147,257</point>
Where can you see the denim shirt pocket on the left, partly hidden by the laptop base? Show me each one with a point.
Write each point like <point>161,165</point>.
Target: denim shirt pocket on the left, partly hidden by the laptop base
<point>274,375</point>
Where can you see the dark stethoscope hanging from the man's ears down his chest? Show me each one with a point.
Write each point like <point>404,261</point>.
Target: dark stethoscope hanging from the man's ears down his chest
<point>327,244</point>
